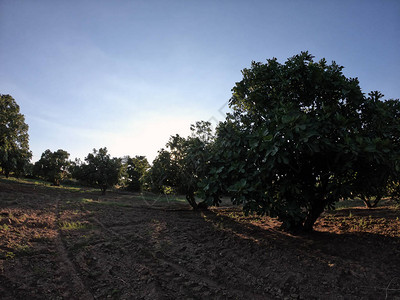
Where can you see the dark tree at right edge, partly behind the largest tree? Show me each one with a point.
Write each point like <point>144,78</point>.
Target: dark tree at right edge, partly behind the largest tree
<point>380,125</point>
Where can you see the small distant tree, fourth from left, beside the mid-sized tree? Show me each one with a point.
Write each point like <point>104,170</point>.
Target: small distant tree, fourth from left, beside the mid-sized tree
<point>133,171</point>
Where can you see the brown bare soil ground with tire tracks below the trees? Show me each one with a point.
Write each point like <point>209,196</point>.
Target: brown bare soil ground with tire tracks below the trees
<point>60,243</point>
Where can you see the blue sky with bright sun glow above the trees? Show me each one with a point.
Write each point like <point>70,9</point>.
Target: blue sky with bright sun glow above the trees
<point>128,74</point>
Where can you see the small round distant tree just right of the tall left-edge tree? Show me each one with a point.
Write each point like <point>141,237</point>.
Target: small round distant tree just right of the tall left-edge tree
<point>53,166</point>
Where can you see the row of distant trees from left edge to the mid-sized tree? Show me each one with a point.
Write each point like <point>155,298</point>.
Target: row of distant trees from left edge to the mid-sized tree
<point>98,168</point>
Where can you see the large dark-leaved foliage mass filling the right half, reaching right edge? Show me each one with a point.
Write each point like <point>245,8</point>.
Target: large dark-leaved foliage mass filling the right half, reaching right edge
<point>299,140</point>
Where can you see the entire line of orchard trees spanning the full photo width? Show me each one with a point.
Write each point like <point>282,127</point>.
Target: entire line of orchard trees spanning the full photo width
<point>301,136</point>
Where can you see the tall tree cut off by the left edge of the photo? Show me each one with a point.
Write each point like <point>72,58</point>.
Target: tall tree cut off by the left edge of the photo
<point>14,138</point>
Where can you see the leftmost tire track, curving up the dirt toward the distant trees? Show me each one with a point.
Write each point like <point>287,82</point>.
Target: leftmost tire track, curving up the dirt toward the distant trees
<point>81,291</point>
